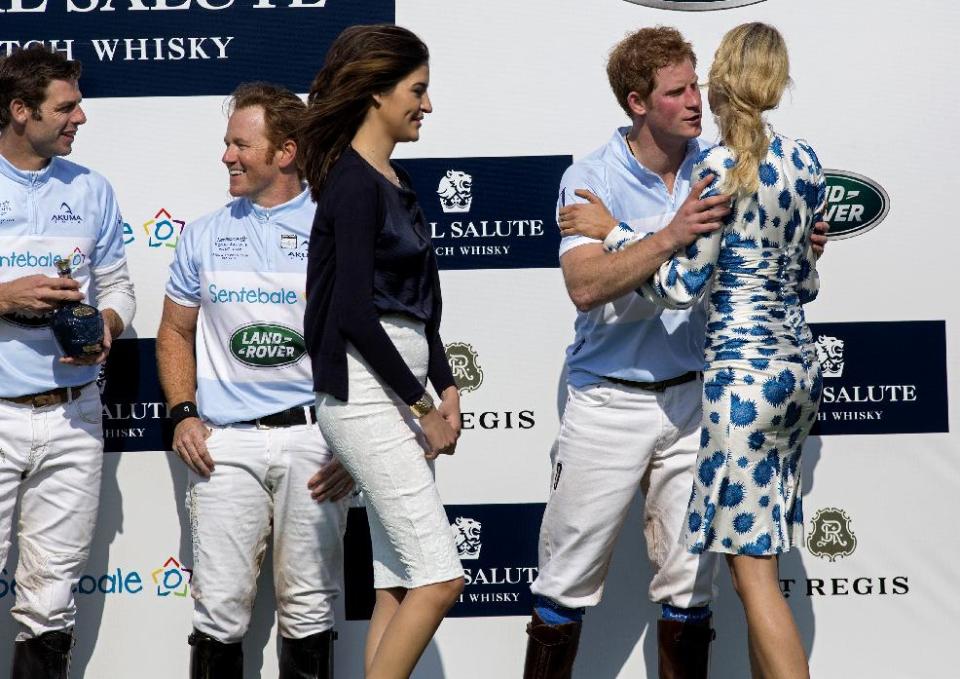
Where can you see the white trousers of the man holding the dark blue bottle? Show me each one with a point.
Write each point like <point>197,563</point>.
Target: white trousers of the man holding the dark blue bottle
<point>51,458</point>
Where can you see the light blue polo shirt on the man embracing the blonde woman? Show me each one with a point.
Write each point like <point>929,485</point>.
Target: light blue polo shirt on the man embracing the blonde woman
<point>631,338</point>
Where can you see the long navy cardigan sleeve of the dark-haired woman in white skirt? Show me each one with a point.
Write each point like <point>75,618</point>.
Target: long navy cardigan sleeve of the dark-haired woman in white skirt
<point>357,217</point>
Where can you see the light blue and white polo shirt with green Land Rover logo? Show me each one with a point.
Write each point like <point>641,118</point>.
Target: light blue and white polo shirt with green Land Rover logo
<point>245,267</point>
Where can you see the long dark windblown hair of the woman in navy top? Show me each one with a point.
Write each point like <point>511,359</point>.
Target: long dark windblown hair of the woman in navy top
<point>361,62</point>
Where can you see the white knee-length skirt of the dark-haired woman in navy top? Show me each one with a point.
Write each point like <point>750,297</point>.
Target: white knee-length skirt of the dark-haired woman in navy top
<point>379,442</point>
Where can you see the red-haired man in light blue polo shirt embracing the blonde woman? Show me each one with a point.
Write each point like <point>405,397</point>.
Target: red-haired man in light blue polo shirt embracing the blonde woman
<point>632,417</point>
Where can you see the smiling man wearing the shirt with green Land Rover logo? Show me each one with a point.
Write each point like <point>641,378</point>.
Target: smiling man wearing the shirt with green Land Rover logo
<point>235,371</point>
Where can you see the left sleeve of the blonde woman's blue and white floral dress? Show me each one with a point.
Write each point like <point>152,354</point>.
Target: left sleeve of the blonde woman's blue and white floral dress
<point>683,279</point>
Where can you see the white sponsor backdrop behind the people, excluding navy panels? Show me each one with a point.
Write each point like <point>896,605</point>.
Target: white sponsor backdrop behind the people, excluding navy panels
<point>876,92</point>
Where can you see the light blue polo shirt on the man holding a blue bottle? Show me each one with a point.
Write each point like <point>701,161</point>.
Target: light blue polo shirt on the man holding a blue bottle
<point>64,210</point>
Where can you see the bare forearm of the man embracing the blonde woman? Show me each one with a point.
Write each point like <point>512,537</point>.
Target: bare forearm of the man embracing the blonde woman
<point>594,276</point>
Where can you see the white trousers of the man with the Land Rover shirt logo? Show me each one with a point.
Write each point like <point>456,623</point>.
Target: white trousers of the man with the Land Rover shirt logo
<point>260,481</point>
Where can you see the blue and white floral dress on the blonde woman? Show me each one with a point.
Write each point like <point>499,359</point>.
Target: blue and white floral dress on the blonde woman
<point>762,382</point>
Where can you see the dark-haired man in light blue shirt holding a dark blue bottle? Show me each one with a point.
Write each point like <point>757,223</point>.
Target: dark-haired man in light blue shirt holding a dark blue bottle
<point>51,436</point>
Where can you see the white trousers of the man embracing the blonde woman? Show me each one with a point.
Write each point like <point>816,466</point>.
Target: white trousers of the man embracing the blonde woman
<point>613,441</point>
